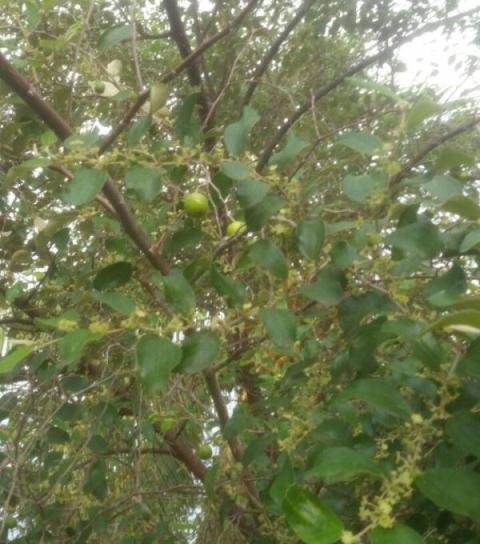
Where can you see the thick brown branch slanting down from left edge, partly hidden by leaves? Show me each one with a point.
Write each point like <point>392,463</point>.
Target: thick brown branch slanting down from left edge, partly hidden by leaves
<point>30,95</point>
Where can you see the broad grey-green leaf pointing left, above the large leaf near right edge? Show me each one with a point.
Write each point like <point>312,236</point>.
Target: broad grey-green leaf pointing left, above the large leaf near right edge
<point>420,239</point>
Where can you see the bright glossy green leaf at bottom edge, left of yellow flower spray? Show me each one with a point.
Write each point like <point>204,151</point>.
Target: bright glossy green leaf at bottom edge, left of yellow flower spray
<point>311,520</point>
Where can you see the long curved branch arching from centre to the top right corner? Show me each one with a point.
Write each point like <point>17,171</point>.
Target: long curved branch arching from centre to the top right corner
<point>328,87</point>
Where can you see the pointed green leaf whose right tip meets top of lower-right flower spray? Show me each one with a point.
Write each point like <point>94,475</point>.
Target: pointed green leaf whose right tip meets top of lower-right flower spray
<point>379,394</point>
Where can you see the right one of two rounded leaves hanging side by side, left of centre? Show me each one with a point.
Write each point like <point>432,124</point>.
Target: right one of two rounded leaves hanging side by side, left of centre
<point>200,351</point>
